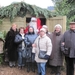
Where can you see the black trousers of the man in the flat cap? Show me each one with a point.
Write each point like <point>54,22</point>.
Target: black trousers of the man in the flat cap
<point>69,66</point>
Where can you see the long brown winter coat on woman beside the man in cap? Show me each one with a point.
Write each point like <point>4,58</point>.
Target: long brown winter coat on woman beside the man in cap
<point>56,58</point>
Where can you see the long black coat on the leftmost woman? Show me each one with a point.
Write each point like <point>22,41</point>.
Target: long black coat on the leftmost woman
<point>10,45</point>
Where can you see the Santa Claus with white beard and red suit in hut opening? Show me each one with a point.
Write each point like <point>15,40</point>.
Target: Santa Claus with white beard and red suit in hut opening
<point>35,23</point>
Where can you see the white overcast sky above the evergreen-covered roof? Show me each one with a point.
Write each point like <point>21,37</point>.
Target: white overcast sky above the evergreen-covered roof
<point>40,3</point>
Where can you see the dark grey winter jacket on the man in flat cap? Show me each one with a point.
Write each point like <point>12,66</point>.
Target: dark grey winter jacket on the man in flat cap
<point>69,40</point>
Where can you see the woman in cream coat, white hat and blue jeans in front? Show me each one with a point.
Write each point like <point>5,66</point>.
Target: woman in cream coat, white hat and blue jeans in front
<point>44,43</point>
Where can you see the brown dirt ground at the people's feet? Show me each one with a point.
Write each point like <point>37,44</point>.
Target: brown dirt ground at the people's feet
<point>6,70</point>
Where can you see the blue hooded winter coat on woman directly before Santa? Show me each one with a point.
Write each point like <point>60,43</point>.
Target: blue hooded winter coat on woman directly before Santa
<point>29,39</point>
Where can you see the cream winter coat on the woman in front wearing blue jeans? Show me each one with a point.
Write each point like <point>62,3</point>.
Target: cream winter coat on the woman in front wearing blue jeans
<point>45,45</point>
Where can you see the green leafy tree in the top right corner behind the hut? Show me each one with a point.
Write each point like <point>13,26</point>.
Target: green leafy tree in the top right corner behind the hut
<point>65,7</point>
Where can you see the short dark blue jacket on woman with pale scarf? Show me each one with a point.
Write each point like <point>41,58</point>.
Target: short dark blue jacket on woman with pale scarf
<point>18,41</point>
